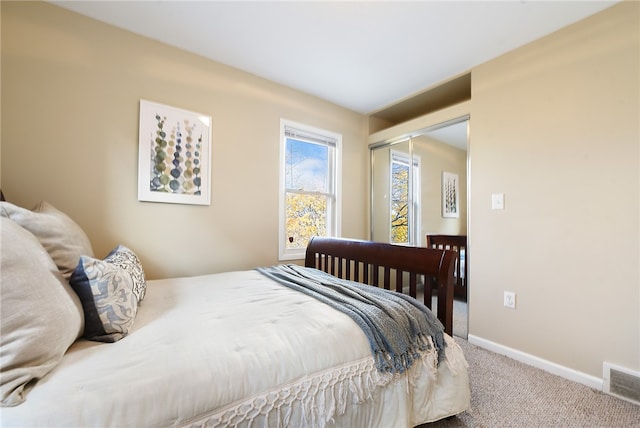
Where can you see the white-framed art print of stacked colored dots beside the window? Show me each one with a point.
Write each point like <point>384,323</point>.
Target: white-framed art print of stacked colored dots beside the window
<point>174,162</point>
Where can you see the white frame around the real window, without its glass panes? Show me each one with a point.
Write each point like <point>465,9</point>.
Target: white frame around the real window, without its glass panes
<point>334,220</point>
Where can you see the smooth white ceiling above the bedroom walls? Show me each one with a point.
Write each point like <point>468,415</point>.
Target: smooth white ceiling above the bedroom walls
<point>363,55</point>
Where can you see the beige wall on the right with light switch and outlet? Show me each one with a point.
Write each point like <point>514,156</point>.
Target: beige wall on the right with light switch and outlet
<point>555,126</point>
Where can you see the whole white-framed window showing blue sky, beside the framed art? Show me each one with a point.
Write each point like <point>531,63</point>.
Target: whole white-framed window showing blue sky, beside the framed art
<point>309,189</point>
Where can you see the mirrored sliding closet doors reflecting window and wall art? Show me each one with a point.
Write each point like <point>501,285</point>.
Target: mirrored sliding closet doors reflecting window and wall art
<point>419,188</point>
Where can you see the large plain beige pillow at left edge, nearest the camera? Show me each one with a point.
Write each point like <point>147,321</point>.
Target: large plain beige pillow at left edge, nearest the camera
<point>39,313</point>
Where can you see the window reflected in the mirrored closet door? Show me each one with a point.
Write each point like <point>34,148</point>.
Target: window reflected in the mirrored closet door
<point>405,199</point>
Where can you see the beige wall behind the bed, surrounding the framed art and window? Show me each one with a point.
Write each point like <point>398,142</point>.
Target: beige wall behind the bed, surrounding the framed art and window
<point>70,93</point>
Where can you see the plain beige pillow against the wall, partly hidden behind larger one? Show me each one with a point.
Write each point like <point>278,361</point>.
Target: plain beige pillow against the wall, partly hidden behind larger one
<point>58,233</point>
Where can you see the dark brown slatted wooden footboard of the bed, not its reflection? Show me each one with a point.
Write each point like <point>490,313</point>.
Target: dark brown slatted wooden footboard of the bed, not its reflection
<point>393,267</point>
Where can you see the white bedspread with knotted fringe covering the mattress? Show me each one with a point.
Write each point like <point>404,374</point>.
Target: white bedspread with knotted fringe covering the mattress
<point>237,349</point>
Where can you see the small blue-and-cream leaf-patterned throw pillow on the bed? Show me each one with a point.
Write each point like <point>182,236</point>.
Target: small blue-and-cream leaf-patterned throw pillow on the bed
<point>106,291</point>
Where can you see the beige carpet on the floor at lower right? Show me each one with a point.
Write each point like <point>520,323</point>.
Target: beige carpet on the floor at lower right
<point>507,393</point>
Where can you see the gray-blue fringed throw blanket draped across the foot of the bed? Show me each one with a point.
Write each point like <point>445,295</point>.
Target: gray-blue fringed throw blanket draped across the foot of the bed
<point>397,326</point>
